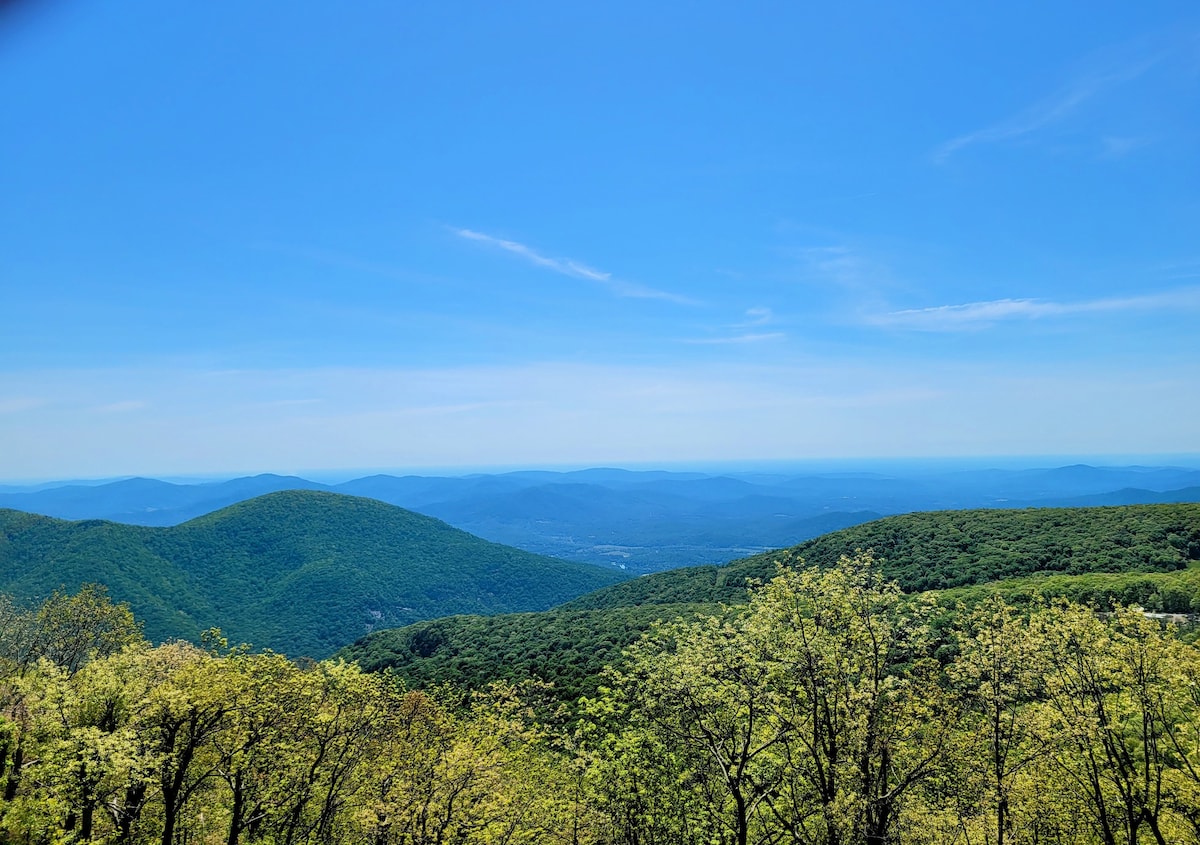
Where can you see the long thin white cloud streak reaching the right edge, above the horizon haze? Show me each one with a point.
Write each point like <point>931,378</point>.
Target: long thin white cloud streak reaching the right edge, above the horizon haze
<point>982,315</point>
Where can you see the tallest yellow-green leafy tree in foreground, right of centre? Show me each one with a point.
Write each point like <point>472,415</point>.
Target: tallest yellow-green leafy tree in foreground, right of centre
<point>808,717</point>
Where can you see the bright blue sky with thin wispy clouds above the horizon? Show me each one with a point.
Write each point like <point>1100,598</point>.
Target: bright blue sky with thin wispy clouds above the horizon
<point>301,236</point>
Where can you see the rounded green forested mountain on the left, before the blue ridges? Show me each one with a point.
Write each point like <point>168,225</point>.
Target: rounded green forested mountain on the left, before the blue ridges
<point>299,572</point>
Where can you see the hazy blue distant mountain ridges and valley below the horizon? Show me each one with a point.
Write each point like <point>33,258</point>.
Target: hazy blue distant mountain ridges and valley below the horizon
<point>640,522</point>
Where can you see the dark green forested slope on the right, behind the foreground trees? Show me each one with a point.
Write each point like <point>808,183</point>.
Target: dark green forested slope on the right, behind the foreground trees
<point>1105,555</point>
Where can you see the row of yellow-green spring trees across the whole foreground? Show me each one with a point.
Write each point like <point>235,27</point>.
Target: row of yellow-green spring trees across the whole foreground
<point>826,710</point>
